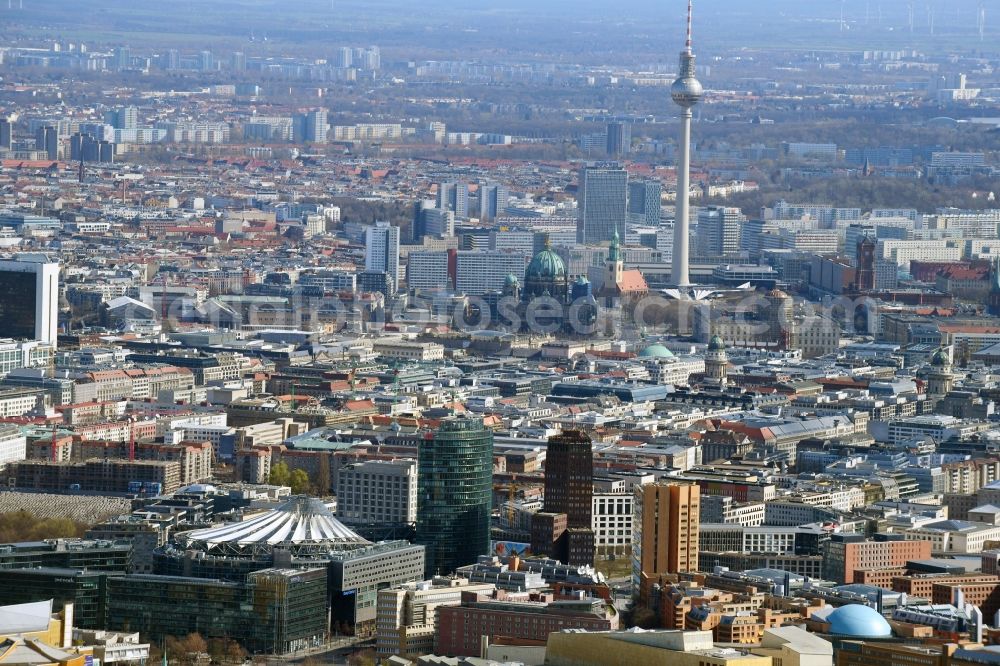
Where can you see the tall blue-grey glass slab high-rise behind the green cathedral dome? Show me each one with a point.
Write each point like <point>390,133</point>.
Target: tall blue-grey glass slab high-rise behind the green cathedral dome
<point>601,202</point>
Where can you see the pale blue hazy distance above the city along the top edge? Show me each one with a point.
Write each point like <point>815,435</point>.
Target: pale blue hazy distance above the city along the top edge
<point>565,26</point>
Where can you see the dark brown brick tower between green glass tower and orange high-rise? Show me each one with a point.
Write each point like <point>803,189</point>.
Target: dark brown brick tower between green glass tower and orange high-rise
<point>564,529</point>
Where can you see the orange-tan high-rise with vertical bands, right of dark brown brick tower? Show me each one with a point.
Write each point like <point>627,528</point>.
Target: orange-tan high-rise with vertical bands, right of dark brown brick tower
<point>665,526</point>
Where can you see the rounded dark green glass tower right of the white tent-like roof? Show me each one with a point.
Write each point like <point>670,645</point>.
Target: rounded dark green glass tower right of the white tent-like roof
<point>455,477</point>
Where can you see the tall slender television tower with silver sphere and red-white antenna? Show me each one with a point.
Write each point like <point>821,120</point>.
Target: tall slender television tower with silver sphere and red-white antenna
<point>686,91</point>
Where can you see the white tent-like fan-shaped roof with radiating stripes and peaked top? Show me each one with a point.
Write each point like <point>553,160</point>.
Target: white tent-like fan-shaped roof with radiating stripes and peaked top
<point>301,523</point>
